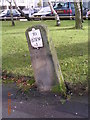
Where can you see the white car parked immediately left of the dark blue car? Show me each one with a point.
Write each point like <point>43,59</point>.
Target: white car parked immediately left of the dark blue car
<point>46,11</point>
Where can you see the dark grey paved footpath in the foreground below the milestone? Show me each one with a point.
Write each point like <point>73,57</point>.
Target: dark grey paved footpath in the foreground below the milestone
<point>41,105</point>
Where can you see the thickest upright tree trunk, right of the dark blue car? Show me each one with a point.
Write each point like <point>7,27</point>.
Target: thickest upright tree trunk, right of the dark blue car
<point>78,18</point>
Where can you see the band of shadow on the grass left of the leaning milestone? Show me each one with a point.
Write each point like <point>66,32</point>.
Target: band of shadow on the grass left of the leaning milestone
<point>17,61</point>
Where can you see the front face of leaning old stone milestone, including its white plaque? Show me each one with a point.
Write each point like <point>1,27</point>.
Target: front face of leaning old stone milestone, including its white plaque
<point>42,60</point>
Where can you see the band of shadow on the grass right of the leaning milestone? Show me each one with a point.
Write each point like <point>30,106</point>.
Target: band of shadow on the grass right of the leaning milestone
<point>72,50</point>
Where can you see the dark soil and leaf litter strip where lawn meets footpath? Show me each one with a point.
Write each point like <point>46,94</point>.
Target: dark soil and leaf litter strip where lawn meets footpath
<point>79,88</point>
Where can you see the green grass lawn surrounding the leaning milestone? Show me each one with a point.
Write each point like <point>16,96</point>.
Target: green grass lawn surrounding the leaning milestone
<point>71,47</point>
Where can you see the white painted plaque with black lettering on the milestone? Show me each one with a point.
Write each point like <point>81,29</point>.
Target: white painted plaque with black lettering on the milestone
<point>35,38</point>
